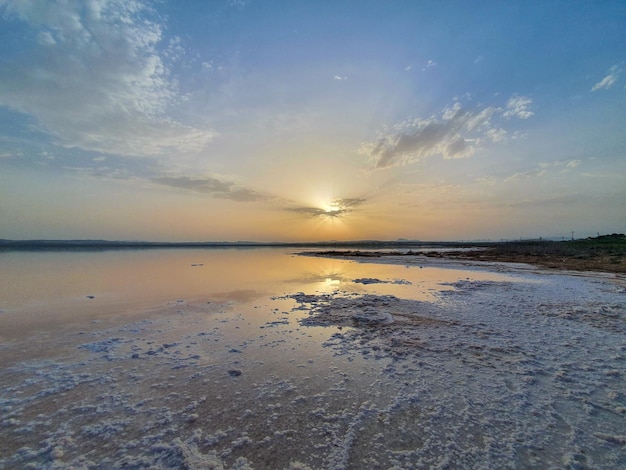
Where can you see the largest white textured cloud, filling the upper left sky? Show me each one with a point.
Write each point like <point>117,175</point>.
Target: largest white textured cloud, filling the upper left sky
<point>95,78</point>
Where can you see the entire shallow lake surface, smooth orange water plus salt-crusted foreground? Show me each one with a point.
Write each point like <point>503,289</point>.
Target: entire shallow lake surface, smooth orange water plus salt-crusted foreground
<point>263,359</point>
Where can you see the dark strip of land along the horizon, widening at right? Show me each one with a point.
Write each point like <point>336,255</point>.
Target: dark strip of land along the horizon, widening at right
<point>605,253</point>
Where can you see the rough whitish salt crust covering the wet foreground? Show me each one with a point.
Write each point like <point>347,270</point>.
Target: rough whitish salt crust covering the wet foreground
<point>526,374</point>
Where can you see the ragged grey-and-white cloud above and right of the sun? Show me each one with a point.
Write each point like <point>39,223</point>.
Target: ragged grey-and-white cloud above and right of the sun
<point>456,133</point>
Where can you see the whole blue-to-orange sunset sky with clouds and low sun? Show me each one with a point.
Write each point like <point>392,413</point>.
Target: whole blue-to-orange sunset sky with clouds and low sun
<point>229,120</point>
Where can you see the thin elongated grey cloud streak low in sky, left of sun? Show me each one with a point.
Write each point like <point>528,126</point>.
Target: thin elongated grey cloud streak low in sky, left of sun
<point>214,187</point>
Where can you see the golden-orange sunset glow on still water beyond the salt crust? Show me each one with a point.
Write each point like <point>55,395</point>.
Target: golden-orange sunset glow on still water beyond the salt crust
<point>45,282</point>
